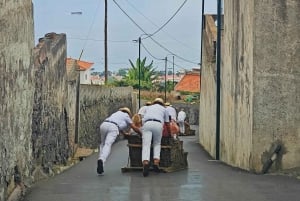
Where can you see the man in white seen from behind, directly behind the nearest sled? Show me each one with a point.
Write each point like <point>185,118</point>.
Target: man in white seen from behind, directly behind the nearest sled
<point>152,131</point>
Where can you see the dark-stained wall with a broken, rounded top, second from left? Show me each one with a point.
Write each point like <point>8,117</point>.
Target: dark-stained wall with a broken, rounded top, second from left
<point>50,143</point>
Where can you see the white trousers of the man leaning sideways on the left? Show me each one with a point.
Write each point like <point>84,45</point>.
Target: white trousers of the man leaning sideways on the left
<point>108,134</point>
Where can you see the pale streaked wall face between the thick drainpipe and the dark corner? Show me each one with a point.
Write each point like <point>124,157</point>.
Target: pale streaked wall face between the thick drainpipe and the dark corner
<point>237,84</point>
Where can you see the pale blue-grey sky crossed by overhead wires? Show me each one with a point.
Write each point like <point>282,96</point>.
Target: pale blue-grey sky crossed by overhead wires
<point>175,25</point>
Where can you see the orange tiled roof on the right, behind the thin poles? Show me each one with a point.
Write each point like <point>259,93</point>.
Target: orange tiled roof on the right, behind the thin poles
<point>189,83</point>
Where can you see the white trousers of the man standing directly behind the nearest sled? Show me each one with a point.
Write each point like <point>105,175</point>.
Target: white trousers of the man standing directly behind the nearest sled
<point>151,130</point>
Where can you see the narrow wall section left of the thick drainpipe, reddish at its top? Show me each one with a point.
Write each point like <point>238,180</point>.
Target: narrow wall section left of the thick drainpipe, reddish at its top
<point>207,111</point>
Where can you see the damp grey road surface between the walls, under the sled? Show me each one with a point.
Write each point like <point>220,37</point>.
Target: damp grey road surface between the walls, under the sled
<point>204,180</point>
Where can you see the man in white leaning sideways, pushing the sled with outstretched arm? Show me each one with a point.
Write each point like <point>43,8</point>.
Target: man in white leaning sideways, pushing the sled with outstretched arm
<point>109,130</point>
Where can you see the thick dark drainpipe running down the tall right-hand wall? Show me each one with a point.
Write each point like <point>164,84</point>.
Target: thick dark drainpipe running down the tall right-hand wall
<point>218,79</point>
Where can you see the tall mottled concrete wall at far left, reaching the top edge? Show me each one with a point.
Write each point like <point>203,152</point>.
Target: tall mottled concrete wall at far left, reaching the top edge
<point>16,93</point>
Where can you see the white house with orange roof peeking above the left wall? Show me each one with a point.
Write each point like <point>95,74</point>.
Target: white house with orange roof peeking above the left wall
<point>84,67</point>
